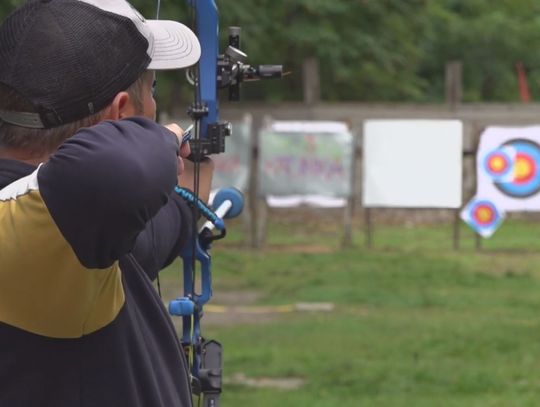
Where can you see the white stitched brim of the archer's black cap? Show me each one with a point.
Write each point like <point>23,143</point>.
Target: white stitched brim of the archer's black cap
<point>175,45</point>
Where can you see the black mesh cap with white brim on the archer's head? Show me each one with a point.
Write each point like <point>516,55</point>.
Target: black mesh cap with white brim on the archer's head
<point>69,58</point>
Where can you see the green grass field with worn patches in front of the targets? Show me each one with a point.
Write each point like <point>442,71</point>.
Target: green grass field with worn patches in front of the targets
<point>415,323</point>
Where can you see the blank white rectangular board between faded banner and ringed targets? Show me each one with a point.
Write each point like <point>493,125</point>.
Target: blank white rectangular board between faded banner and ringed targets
<point>412,163</point>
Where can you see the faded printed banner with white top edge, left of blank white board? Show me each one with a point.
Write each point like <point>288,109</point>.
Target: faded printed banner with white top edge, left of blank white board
<point>306,159</point>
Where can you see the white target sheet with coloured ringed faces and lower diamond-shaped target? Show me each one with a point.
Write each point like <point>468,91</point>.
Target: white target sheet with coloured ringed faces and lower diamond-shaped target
<point>508,174</point>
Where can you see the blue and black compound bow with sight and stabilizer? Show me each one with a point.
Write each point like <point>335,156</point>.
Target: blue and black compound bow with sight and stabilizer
<point>214,71</point>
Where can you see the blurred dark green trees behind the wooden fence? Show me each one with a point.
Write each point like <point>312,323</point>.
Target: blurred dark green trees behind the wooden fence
<point>375,50</point>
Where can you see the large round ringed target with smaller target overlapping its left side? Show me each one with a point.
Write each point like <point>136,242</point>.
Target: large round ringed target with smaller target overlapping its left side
<point>514,168</point>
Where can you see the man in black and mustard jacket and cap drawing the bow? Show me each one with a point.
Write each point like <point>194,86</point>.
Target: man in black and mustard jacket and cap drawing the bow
<point>88,215</point>
